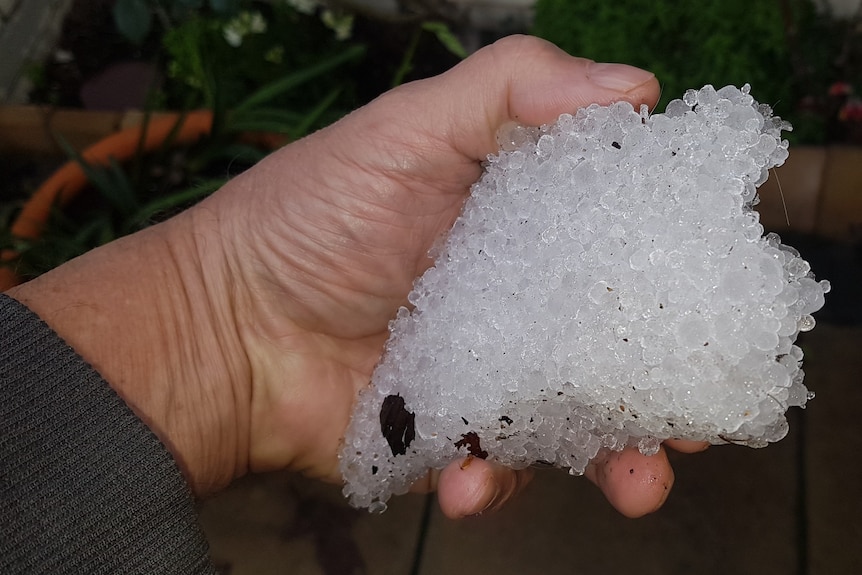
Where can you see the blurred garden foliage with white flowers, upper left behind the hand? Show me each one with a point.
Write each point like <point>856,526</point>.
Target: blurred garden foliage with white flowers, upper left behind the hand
<point>270,72</point>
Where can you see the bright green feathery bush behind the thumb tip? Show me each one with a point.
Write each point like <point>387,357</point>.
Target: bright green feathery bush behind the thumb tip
<point>686,44</point>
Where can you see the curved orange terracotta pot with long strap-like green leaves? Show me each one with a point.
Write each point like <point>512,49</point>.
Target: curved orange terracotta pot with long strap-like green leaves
<point>41,235</point>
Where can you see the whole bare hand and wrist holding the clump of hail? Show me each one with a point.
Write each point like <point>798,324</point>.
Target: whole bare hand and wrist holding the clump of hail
<point>242,330</point>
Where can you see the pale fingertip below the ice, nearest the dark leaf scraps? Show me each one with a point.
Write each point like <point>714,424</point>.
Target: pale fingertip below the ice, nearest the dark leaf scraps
<point>472,486</point>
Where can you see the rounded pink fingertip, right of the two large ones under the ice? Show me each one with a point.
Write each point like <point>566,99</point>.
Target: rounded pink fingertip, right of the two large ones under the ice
<point>635,484</point>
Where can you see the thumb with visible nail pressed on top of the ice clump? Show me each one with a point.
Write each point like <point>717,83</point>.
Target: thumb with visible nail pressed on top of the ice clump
<point>529,81</point>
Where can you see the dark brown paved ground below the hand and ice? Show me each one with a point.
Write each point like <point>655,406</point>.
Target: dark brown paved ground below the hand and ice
<point>793,508</point>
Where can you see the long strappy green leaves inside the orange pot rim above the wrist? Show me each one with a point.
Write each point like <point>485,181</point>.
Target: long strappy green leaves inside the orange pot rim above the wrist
<point>125,198</point>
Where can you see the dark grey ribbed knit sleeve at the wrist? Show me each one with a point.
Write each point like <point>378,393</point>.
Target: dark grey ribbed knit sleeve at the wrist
<point>85,486</point>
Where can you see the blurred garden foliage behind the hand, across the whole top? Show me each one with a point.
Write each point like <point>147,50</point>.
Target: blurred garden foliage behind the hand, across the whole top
<point>289,67</point>
